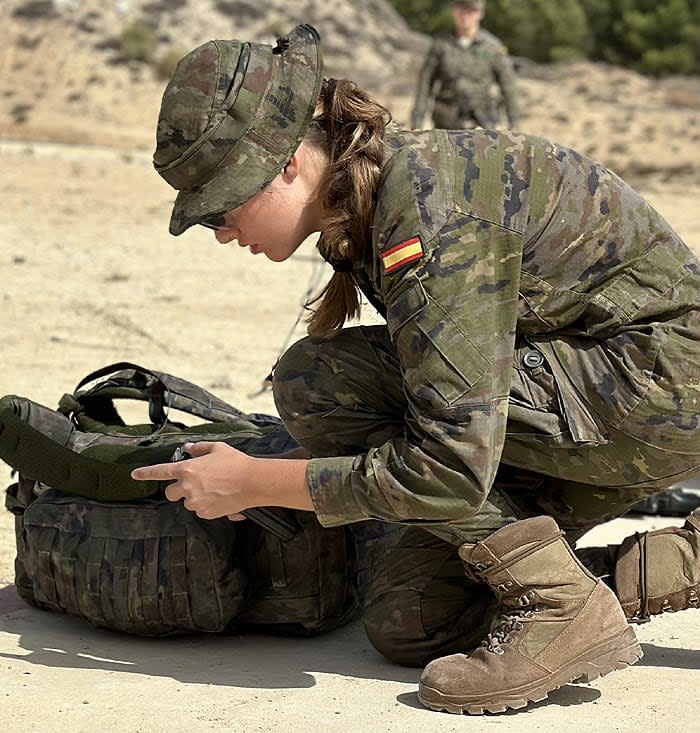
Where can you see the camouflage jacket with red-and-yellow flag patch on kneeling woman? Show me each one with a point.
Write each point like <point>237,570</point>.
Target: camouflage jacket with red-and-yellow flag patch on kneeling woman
<point>485,243</point>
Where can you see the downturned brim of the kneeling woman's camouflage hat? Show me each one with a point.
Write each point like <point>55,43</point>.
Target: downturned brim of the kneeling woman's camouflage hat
<point>260,154</point>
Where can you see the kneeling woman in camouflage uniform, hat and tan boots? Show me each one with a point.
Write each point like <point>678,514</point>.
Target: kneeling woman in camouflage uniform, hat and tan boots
<point>538,373</point>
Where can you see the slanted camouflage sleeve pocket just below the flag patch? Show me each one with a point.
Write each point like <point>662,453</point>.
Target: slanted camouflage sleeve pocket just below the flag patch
<point>439,362</point>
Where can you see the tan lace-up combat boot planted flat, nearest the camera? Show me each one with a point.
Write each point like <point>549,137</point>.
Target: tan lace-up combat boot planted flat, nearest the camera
<point>559,624</point>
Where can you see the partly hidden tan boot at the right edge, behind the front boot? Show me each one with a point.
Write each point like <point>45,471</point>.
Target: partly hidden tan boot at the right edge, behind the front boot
<point>659,571</point>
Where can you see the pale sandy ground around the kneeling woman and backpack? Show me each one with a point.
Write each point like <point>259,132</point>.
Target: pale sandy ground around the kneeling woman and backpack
<point>91,276</point>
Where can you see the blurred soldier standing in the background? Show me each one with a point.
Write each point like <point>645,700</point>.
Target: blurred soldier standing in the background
<point>458,75</point>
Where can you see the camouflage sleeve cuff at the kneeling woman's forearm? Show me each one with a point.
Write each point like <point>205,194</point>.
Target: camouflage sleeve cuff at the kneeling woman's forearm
<point>330,483</point>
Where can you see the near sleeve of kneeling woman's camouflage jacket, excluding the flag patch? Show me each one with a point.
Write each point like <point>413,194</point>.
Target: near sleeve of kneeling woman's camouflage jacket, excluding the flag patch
<point>451,315</point>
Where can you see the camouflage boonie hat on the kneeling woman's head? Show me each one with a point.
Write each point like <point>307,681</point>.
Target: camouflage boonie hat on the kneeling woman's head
<point>230,119</point>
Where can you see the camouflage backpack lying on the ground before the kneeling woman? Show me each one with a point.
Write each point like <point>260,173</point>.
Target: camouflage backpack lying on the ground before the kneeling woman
<point>95,544</point>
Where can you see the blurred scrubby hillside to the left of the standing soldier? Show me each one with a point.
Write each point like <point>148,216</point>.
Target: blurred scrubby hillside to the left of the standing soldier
<point>63,76</point>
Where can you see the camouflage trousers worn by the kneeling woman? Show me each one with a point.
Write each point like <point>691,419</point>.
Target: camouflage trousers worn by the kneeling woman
<point>555,461</point>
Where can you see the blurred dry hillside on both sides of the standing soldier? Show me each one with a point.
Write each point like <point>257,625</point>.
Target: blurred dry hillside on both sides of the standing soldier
<point>64,78</point>
